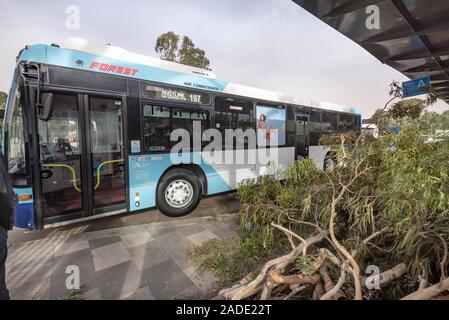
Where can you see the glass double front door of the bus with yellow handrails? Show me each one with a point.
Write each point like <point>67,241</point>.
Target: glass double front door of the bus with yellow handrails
<point>82,156</point>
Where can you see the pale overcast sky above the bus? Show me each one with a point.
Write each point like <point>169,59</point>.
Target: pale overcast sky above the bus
<point>270,44</point>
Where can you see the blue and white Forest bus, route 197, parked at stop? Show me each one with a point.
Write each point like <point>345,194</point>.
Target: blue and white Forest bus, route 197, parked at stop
<point>87,132</point>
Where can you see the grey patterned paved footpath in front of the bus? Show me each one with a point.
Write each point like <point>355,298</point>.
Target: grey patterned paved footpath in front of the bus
<point>150,261</point>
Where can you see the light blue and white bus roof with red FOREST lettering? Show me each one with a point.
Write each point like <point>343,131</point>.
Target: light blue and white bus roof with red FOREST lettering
<point>86,55</point>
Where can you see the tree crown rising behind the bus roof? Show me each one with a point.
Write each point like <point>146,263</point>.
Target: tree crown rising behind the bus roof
<point>167,45</point>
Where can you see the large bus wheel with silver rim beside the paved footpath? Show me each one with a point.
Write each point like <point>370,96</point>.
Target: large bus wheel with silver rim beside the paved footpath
<point>178,193</point>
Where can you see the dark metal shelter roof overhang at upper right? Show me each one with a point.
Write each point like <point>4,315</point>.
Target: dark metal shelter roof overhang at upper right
<point>413,37</point>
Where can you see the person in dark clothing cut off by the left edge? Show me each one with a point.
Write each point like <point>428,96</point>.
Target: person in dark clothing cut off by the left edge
<point>8,201</point>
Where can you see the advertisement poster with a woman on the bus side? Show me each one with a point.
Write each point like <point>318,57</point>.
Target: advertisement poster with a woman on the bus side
<point>270,126</point>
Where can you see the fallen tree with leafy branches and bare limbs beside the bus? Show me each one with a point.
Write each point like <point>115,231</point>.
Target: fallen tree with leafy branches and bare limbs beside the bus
<point>381,209</point>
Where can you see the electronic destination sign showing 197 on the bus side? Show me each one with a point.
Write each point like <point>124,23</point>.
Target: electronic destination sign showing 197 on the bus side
<point>160,93</point>
